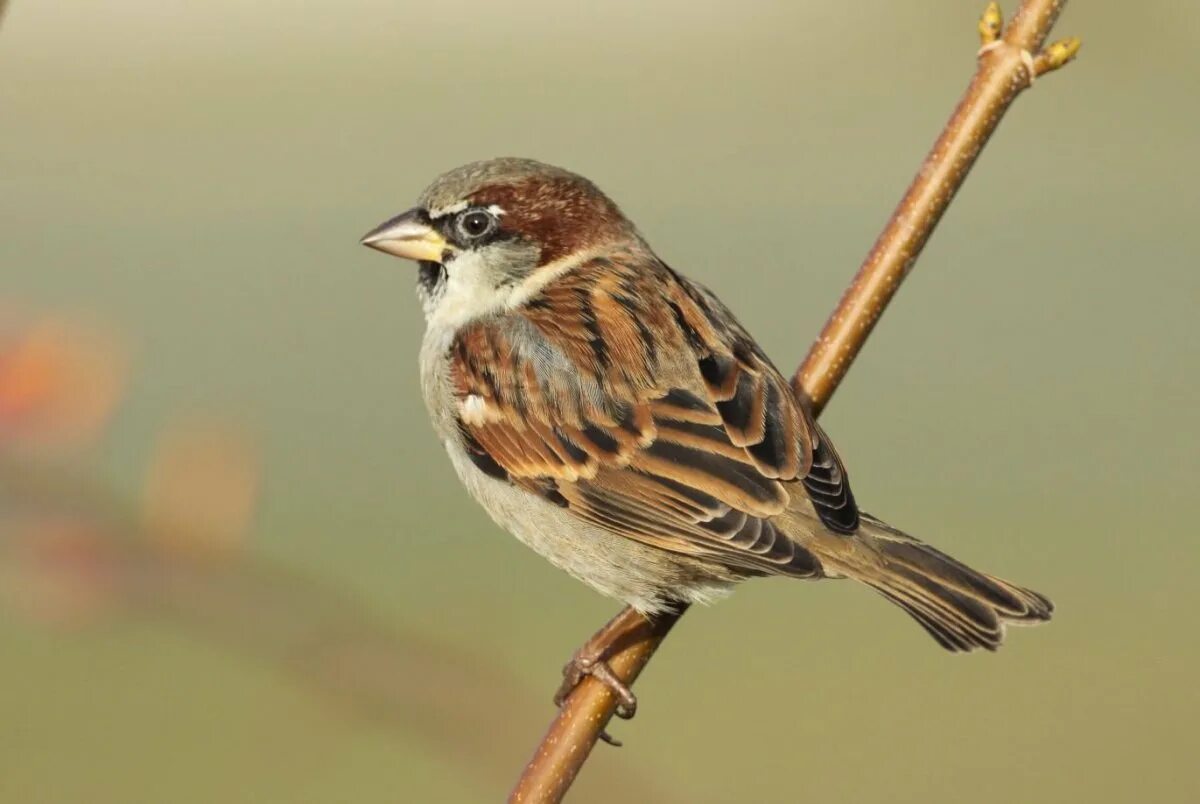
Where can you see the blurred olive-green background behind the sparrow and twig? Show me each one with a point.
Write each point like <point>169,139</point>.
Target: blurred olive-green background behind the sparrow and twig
<point>196,177</point>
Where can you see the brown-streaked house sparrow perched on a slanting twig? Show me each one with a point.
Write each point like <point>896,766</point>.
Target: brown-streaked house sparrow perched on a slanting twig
<point>616,417</point>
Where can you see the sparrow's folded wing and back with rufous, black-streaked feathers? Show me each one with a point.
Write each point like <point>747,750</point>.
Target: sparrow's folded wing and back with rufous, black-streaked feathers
<point>649,413</point>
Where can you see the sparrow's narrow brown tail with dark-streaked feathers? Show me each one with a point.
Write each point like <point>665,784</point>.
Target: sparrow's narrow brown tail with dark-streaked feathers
<point>961,608</point>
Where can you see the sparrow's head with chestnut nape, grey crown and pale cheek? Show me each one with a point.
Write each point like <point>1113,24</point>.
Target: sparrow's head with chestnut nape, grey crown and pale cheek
<point>490,235</point>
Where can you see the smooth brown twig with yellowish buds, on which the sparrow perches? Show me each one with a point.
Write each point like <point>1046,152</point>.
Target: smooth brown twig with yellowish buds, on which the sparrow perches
<point>1009,63</point>
